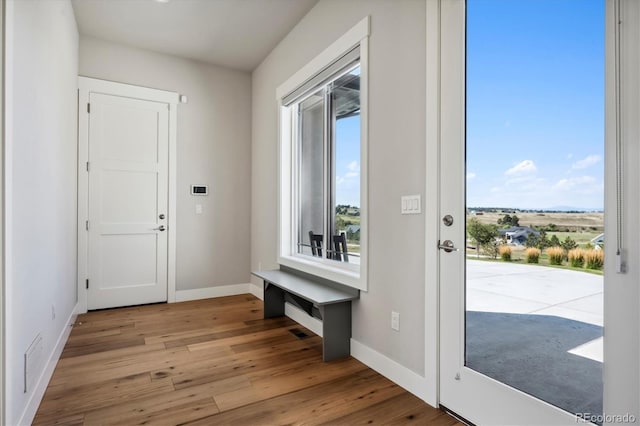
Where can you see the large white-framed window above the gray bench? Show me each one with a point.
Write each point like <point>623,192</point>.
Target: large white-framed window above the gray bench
<point>323,166</point>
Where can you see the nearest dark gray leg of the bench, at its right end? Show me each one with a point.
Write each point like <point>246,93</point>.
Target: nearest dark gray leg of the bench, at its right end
<point>336,330</point>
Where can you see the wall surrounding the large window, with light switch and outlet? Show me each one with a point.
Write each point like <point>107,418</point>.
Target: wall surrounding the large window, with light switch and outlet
<point>396,162</point>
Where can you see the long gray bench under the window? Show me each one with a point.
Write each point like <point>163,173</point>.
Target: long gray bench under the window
<point>332,303</point>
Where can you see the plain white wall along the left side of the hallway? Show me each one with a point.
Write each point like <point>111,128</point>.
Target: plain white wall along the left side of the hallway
<point>42,57</point>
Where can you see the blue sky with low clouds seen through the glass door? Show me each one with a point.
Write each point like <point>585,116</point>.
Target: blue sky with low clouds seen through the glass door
<point>535,103</point>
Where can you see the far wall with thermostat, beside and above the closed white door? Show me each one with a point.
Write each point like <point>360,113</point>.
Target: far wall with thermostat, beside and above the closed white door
<point>214,149</point>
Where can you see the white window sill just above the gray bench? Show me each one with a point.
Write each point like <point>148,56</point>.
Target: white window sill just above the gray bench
<point>345,274</point>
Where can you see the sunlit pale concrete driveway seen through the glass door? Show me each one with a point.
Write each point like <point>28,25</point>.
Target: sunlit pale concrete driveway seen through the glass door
<point>531,289</point>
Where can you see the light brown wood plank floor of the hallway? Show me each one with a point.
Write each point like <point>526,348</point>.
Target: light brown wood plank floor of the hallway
<point>214,362</point>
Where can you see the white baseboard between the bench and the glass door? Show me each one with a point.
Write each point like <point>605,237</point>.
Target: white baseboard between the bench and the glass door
<point>402,376</point>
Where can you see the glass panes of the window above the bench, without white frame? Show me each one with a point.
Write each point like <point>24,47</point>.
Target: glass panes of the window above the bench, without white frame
<point>327,133</point>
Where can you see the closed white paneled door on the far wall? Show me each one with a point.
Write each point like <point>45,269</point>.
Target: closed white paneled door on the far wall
<point>128,209</point>
